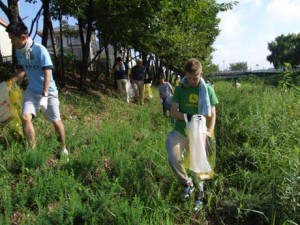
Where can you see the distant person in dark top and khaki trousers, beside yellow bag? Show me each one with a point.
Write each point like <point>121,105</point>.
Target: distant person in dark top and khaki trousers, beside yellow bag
<point>137,77</point>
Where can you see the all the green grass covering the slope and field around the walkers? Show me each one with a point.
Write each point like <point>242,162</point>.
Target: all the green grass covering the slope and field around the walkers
<point>118,171</point>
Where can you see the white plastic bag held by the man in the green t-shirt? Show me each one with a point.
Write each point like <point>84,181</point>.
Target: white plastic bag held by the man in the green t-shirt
<point>197,131</point>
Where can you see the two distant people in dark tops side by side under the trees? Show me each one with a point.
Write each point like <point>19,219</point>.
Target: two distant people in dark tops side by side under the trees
<point>136,78</point>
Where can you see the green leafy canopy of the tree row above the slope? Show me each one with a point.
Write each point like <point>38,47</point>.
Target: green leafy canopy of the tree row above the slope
<point>171,30</point>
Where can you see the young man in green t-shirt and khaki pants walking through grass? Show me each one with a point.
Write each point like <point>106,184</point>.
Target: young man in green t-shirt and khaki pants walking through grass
<point>192,97</point>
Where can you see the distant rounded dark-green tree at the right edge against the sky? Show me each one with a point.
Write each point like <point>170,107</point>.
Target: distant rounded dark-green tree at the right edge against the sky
<point>285,49</point>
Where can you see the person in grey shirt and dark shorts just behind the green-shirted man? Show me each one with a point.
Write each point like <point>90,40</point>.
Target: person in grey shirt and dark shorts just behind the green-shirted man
<point>165,91</point>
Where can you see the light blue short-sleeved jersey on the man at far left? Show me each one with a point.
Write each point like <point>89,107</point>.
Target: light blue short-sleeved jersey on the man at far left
<point>35,66</point>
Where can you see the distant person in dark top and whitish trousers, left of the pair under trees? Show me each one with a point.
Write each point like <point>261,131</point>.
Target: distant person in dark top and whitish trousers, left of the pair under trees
<point>121,76</point>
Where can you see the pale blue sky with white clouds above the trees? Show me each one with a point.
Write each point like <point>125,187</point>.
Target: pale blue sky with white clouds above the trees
<point>245,32</point>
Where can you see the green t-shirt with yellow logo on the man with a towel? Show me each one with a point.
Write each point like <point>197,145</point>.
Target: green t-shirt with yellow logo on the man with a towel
<point>187,98</point>
